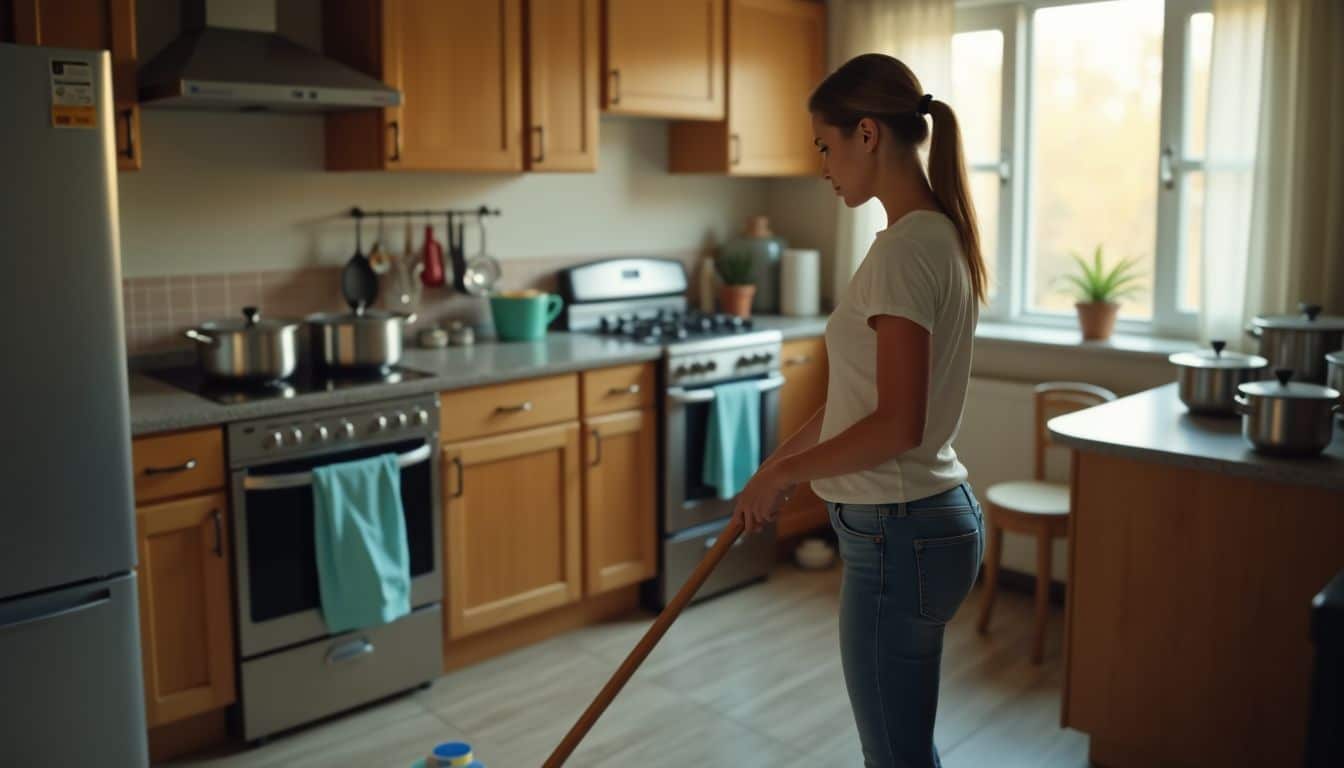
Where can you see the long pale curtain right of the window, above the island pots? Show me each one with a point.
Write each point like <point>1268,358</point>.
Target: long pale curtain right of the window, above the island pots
<point>1275,231</point>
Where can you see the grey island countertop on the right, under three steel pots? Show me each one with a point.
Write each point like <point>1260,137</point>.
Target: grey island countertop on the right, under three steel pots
<point>1154,426</point>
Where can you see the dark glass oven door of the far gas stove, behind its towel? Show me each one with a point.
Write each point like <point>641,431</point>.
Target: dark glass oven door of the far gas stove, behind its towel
<point>687,501</point>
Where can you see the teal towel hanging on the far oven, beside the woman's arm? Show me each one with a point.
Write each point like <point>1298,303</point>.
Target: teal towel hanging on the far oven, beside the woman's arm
<point>733,438</point>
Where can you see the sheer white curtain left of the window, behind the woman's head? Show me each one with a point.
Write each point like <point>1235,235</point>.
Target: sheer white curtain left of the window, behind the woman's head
<point>920,34</point>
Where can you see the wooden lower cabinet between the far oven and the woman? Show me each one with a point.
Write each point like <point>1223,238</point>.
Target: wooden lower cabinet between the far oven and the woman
<point>803,362</point>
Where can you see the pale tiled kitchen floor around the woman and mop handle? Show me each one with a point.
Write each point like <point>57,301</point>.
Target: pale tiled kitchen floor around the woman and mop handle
<point>751,679</point>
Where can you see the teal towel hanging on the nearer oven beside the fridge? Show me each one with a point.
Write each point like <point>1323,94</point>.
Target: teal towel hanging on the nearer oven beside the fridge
<point>364,563</point>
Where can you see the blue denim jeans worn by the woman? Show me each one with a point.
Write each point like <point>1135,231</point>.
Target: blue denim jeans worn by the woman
<point>908,568</point>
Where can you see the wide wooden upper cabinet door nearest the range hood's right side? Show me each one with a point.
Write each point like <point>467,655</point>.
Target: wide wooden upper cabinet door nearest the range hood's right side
<point>460,69</point>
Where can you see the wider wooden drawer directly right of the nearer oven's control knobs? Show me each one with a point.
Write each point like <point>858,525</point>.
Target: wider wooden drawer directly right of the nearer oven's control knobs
<point>509,407</point>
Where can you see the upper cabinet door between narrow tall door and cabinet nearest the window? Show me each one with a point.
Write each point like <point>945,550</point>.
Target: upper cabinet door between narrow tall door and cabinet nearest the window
<point>665,60</point>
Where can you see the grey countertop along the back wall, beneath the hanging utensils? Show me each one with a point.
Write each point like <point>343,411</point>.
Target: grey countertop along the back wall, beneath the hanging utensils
<point>158,407</point>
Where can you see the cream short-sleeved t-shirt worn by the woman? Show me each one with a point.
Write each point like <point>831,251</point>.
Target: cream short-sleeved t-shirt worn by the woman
<point>915,270</point>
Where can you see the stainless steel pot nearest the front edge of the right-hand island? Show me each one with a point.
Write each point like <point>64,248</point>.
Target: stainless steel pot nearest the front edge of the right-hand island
<point>1288,419</point>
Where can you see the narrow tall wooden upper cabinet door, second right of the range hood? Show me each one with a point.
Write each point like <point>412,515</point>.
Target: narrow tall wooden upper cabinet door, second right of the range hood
<point>561,85</point>
